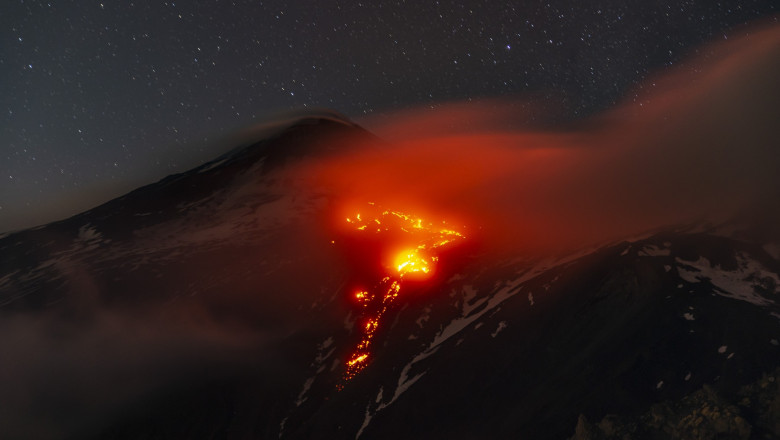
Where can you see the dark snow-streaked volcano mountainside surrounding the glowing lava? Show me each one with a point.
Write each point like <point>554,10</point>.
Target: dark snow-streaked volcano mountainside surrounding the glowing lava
<point>220,303</point>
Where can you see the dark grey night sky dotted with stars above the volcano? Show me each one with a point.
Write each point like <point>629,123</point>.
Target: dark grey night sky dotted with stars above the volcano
<point>98,98</point>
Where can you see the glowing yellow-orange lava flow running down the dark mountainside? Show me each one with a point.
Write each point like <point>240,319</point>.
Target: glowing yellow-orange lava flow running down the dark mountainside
<point>419,242</point>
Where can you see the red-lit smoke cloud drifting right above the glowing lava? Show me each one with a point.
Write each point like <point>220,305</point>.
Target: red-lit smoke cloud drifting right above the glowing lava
<point>697,143</point>
